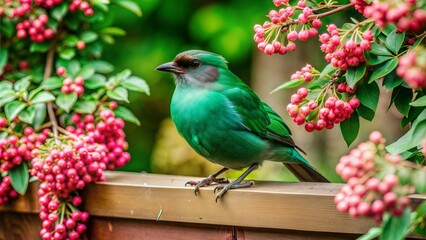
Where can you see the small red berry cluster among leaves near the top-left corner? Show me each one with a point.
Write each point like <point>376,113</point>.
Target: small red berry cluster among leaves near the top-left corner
<point>36,29</point>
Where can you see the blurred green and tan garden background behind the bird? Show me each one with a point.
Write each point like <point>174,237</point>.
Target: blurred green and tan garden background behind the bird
<point>168,27</point>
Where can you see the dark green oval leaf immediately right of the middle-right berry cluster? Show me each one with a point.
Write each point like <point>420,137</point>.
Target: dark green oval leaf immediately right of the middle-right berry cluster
<point>368,94</point>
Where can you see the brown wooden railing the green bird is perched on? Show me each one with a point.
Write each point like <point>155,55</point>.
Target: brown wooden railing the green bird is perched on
<point>148,206</point>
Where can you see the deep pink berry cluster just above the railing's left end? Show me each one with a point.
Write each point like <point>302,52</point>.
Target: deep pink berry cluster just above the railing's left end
<point>107,131</point>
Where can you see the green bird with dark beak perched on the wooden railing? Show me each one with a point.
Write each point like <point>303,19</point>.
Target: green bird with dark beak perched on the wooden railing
<point>224,121</point>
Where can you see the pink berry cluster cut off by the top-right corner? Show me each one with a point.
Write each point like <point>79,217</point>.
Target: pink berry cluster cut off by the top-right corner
<point>405,14</point>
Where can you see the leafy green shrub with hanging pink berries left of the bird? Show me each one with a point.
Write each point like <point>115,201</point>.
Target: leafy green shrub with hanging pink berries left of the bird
<point>60,118</point>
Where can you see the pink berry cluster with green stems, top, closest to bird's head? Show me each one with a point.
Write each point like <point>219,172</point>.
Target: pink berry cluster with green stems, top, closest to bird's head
<point>282,28</point>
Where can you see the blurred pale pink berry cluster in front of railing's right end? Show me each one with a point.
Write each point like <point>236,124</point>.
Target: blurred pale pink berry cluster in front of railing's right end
<point>367,195</point>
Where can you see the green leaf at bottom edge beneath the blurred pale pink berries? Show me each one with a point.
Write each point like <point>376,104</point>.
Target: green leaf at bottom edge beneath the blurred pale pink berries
<point>396,228</point>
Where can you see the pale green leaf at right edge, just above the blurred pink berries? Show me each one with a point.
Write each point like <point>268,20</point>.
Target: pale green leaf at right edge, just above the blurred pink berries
<point>412,138</point>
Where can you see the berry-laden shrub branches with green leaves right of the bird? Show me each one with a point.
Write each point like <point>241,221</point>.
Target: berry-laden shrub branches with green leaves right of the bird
<point>383,49</point>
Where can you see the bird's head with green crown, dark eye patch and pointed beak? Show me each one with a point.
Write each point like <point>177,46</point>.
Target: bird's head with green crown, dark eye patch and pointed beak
<point>195,67</point>
